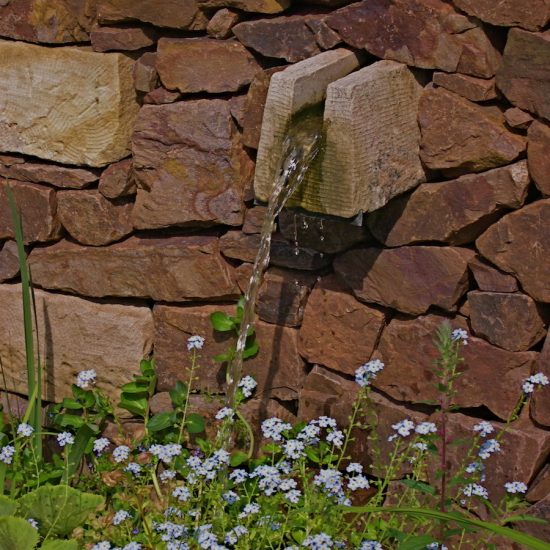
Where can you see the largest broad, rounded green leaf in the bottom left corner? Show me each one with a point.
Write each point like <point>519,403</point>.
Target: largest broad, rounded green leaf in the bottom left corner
<point>58,509</point>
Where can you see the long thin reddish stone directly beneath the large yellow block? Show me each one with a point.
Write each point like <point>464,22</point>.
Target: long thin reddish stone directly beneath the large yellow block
<point>58,176</point>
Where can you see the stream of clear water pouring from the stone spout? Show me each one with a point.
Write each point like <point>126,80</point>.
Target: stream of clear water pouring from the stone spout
<point>299,149</point>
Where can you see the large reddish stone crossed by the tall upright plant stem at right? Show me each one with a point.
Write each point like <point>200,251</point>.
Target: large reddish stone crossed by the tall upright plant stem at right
<point>490,376</point>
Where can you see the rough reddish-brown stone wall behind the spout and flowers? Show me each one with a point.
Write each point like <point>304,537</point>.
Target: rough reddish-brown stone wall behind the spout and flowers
<point>129,130</point>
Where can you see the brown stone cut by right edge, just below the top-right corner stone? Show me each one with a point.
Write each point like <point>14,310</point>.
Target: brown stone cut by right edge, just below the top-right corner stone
<point>523,77</point>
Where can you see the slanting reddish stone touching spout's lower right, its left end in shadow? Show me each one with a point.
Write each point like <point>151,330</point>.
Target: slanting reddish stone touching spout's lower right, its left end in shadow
<point>460,210</point>
